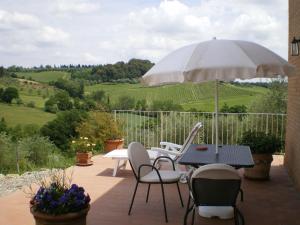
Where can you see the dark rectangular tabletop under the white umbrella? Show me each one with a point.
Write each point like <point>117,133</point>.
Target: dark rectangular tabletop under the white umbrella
<point>238,156</point>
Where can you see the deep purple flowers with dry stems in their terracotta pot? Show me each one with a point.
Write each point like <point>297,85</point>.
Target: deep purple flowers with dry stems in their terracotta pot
<point>59,202</point>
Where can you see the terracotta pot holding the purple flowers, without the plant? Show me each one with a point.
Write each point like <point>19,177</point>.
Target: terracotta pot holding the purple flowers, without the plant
<point>75,218</point>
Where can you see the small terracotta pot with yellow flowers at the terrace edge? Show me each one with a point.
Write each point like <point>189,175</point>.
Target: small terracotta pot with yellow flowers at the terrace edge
<point>83,149</point>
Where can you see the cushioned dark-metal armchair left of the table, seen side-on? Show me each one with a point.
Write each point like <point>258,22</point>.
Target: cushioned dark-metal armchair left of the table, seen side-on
<point>147,173</point>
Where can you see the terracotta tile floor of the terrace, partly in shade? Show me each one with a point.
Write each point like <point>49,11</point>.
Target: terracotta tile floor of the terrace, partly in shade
<point>274,202</point>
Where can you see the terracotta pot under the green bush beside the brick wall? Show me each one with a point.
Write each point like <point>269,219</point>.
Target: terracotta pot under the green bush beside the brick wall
<point>261,169</point>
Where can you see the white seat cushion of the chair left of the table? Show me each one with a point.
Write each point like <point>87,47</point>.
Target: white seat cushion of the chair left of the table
<point>166,176</point>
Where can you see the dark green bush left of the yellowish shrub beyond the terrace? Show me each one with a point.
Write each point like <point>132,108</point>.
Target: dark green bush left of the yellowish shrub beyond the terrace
<point>62,129</point>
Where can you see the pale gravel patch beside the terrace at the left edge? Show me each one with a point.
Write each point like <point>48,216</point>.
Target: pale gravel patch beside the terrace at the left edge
<point>13,182</point>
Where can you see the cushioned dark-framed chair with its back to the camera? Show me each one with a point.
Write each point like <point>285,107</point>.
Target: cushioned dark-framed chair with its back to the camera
<point>213,191</point>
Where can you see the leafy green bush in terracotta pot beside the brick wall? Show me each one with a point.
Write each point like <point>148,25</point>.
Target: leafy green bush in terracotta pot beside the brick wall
<point>262,147</point>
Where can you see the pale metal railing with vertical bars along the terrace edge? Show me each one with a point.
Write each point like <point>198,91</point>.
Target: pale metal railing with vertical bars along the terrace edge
<point>151,127</point>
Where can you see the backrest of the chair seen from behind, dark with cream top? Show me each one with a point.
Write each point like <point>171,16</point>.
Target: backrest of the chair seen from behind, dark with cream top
<point>215,185</point>
